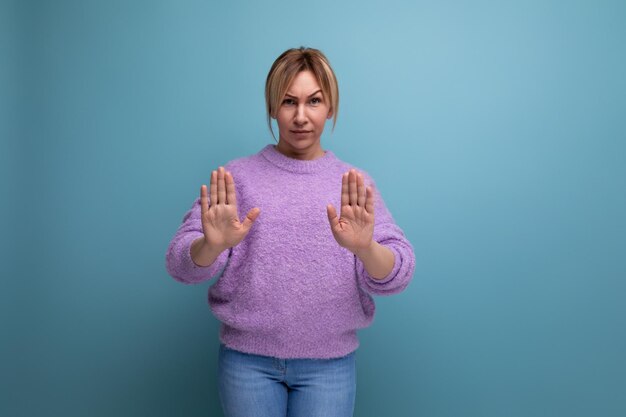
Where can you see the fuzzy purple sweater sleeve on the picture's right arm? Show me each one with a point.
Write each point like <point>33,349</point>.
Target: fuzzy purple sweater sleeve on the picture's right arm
<point>388,234</point>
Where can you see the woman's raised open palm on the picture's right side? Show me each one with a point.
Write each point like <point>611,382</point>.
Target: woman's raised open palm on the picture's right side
<point>354,229</point>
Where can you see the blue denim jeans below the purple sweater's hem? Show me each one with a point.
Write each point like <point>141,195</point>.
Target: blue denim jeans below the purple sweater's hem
<point>263,386</point>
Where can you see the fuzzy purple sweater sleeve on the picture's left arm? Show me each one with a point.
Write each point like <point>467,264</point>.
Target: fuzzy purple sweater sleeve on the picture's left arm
<point>178,260</point>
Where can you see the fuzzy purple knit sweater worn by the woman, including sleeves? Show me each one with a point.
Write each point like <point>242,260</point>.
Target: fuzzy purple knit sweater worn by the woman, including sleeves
<point>288,290</point>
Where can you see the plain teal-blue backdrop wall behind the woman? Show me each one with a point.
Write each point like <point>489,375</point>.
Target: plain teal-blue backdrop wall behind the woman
<point>495,131</point>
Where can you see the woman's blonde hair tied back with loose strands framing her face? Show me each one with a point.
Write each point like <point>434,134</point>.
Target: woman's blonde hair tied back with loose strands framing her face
<point>284,70</point>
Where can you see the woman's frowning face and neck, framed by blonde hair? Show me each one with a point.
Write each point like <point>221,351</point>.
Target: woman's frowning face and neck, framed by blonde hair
<point>301,118</point>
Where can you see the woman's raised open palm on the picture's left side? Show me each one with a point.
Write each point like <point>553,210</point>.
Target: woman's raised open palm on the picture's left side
<point>220,220</point>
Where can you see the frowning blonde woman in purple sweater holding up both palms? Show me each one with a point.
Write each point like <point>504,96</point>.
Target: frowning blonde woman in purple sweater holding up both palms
<point>297,278</point>
